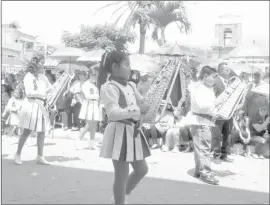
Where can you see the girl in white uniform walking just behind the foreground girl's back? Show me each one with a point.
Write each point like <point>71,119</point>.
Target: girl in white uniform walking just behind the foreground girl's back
<point>90,111</point>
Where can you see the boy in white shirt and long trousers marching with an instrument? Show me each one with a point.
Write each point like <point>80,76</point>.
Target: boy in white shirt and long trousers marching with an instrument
<point>200,120</point>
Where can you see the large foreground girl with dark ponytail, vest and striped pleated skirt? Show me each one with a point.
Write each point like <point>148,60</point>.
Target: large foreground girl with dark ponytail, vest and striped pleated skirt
<point>122,142</point>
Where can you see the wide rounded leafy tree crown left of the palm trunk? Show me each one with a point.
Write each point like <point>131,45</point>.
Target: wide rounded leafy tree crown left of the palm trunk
<point>98,37</point>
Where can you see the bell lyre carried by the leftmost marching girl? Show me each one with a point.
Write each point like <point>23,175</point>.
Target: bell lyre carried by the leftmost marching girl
<point>58,88</point>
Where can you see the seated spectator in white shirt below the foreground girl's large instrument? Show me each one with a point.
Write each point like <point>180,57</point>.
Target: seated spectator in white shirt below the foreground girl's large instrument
<point>159,130</point>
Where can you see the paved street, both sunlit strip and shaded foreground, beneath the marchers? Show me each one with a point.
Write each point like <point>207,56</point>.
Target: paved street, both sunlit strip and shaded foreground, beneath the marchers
<point>84,178</point>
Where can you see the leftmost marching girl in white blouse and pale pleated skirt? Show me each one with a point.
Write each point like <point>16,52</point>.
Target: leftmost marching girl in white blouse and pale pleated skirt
<point>33,115</point>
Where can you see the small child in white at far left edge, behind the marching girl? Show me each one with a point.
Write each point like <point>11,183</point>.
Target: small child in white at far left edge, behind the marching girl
<point>13,108</point>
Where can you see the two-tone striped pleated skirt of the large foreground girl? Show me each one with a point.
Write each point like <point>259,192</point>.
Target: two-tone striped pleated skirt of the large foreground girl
<point>119,143</point>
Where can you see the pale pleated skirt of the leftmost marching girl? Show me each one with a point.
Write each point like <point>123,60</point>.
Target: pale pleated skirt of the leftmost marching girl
<point>33,116</point>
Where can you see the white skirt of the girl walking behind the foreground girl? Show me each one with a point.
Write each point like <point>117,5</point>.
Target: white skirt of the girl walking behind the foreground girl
<point>90,110</point>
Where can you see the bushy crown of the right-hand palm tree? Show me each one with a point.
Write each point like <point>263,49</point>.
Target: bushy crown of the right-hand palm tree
<point>165,13</point>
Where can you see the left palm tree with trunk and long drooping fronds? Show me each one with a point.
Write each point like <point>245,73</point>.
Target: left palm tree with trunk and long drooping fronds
<point>137,15</point>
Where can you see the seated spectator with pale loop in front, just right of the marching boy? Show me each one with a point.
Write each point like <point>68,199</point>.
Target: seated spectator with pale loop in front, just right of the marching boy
<point>241,132</point>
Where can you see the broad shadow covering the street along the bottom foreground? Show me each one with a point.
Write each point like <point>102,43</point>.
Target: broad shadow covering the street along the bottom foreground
<point>64,185</point>
